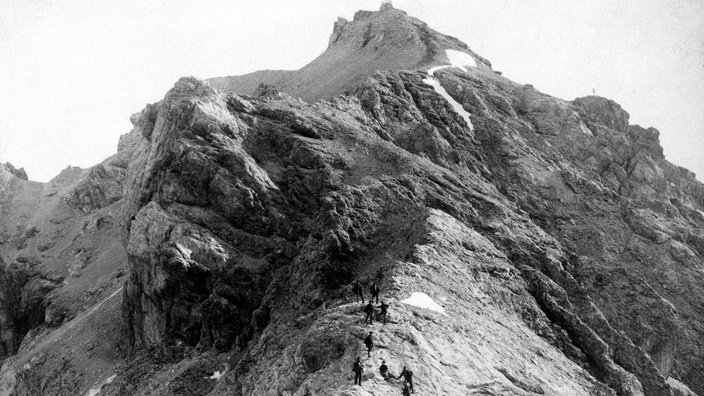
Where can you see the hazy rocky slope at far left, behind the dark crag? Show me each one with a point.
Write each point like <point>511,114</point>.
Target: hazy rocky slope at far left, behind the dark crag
<point>60,253</point>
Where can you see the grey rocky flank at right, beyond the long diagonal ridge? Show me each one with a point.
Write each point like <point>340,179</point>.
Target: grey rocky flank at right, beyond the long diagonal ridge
<point>610,200</point>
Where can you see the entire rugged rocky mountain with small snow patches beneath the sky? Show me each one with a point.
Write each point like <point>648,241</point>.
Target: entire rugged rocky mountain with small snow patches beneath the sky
<point>525,244</point>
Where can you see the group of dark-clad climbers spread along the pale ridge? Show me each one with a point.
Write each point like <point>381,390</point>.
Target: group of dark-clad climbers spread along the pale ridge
<point>357,367</point>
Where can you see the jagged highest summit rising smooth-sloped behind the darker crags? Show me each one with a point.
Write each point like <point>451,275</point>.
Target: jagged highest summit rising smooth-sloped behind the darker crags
<point>387,39</point>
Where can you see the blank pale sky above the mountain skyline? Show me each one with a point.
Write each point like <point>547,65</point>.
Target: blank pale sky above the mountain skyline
<point>73,71</point>
